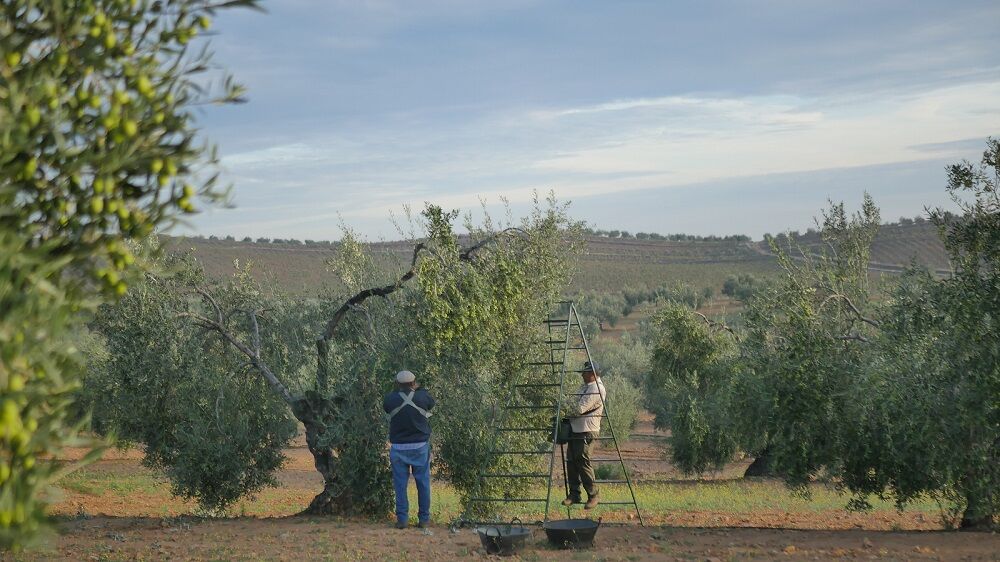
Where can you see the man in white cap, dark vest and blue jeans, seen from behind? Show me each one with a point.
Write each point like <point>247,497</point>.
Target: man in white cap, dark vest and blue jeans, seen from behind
<point>408,410</point>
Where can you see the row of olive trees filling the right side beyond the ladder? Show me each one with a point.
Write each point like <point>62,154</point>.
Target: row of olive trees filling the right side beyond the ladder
<point>895,396</point>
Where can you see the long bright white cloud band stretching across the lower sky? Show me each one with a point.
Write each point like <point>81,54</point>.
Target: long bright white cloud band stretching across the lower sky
<point>618,147</point>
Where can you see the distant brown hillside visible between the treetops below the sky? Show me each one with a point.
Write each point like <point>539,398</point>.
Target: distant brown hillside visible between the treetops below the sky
<point>608,263</point>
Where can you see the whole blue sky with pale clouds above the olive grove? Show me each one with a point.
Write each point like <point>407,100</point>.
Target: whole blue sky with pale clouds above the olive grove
<point>700,117</point>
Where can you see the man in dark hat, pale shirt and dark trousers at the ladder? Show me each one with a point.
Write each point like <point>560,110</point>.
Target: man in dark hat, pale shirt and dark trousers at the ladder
<point>585,410</point>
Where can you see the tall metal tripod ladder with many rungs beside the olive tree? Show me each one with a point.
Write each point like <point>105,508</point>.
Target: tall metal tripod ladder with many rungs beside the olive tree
<point>542,394</point>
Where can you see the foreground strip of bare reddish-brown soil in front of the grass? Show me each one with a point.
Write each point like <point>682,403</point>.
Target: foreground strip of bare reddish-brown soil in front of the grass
<point>299,538</point>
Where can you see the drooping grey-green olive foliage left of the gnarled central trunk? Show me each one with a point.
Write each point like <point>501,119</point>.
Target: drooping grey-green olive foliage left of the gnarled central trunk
<point>189,399</point>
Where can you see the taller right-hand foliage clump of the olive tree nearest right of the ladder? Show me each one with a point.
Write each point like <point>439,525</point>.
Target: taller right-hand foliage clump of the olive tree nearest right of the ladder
<point>804,350</point>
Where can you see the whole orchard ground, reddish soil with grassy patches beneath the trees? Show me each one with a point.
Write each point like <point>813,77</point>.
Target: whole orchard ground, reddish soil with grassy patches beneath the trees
<point>120,510</point>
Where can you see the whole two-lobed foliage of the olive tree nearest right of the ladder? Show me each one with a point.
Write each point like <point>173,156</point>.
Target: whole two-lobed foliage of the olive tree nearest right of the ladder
<point>779,388</point>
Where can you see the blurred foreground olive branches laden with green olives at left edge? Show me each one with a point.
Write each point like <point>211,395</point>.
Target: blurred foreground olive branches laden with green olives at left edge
<point>97,142</point>
